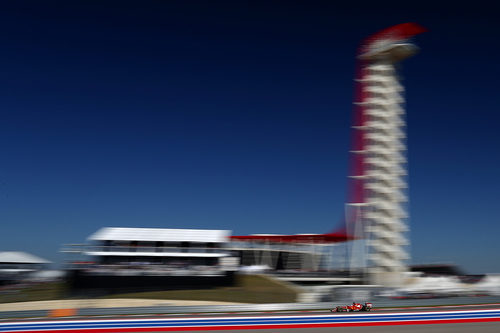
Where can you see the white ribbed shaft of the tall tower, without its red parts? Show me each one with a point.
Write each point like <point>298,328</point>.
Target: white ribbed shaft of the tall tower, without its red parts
<point>385,172</point>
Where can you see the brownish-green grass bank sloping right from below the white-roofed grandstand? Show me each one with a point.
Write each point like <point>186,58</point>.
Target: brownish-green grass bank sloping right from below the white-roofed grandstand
<point>248,289</point>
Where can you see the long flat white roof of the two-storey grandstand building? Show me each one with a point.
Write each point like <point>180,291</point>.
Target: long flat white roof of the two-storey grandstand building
<point>161,235</point>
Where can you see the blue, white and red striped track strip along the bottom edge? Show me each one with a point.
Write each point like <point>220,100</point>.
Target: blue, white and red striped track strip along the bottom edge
<point>444,319</point>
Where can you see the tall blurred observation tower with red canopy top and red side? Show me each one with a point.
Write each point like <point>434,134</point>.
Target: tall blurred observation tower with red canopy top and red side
<point>376,206</point>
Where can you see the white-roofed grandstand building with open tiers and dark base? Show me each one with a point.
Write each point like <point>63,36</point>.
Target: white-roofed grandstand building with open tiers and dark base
<point>141,257</point>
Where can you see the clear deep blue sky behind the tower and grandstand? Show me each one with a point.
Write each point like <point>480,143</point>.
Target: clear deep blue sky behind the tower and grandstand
<point>186,114</point>
